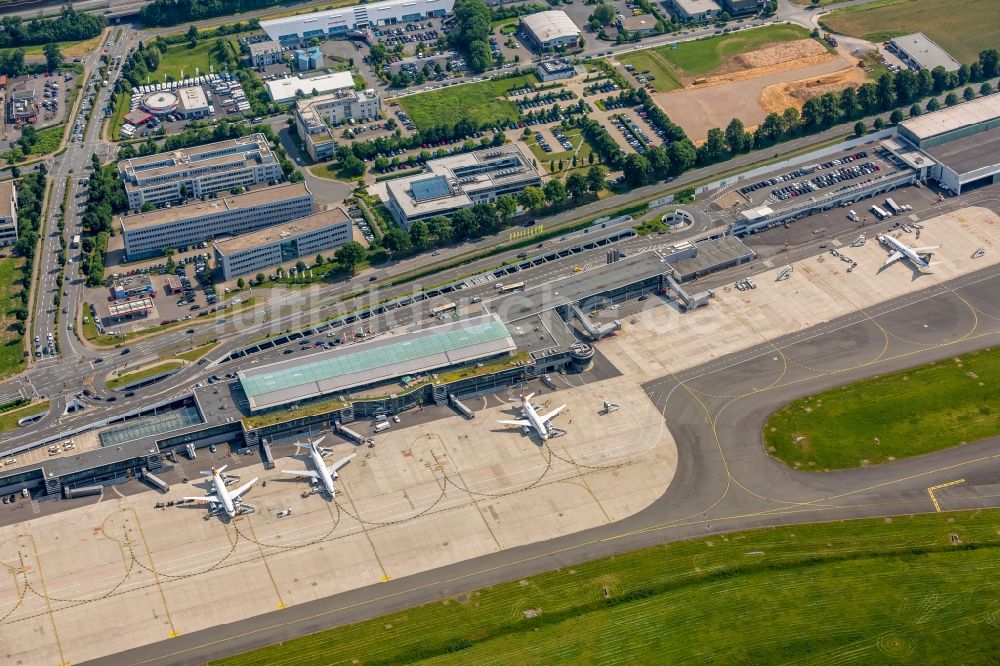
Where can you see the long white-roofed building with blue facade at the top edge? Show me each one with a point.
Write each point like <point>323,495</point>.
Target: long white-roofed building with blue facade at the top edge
<point>338,22</point>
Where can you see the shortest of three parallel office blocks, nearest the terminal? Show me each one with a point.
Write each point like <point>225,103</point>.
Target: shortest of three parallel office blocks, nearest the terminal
<point>302,238</point>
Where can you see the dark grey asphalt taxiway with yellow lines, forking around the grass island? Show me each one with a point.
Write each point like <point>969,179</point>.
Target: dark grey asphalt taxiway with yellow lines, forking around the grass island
<point>724,481</point>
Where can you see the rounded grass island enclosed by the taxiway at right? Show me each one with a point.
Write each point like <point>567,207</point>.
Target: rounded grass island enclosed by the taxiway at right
<point>915,411</point>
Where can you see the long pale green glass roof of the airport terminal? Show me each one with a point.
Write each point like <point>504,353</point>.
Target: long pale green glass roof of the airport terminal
<point>346,362</point>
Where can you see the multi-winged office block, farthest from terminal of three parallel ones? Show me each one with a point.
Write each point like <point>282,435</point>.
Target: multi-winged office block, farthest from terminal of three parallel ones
<point>201,170</point>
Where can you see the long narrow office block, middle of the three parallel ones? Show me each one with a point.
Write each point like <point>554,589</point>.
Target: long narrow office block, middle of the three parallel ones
<point>151,233</point>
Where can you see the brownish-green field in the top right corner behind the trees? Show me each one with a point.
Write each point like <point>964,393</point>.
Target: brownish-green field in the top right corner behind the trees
<point>964,29</point>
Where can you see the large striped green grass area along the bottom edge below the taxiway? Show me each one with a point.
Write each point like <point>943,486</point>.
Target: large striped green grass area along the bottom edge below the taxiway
<point>865,592</point>
